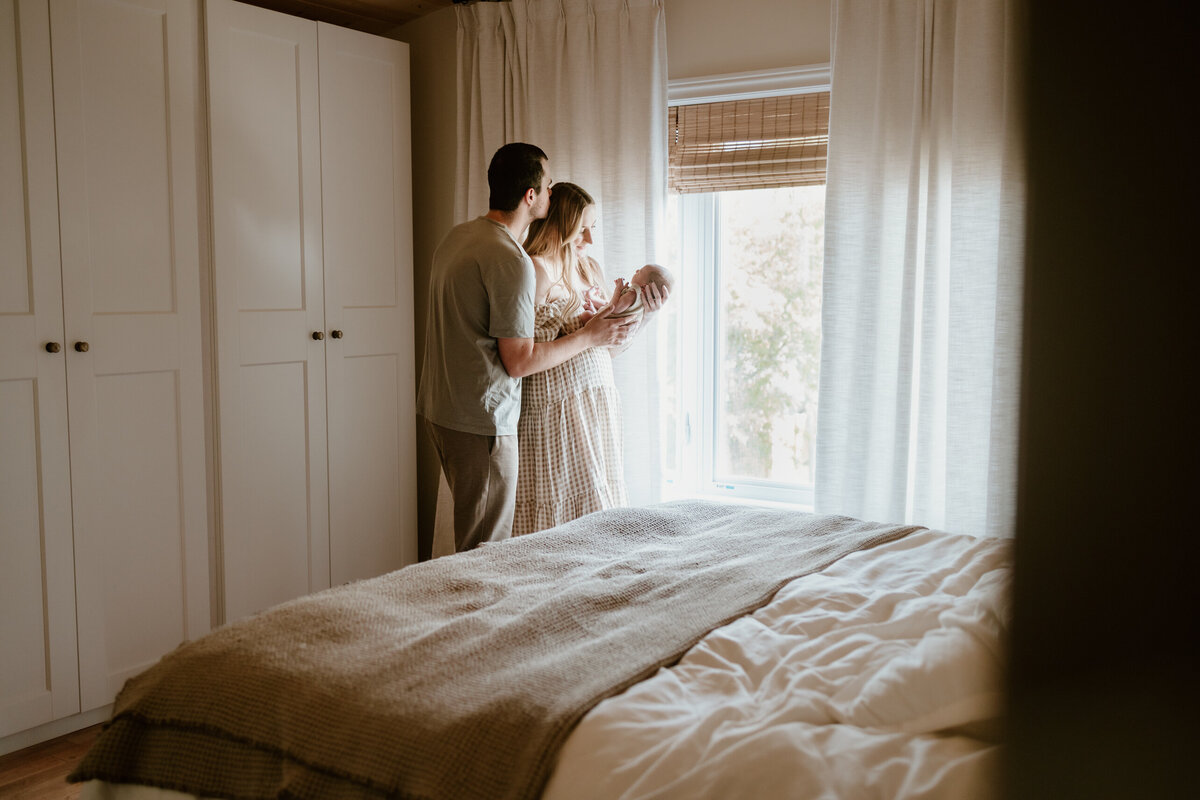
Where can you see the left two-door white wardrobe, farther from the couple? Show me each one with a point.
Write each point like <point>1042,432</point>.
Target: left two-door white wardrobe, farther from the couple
<point>104,524</point>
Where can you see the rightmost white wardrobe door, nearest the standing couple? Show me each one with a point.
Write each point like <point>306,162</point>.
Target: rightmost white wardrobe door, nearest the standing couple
<point>367,183</point>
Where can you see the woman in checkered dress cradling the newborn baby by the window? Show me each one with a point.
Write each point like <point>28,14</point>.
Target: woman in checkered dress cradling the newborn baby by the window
<point>569,435</point>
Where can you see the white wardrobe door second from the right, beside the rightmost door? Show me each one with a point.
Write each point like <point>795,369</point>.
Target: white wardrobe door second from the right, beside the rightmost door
<point>266,148</point>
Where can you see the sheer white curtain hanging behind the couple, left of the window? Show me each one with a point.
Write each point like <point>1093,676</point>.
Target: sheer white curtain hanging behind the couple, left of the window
<point>587,82</point>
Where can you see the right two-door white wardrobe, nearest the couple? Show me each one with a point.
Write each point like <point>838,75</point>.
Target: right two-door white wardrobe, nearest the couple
<point>313,256</point>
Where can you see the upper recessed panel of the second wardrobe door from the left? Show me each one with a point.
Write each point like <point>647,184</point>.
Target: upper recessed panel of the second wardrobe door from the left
<point>118,53</point>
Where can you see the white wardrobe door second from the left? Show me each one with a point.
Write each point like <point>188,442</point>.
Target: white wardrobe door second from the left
<point>128,106</point>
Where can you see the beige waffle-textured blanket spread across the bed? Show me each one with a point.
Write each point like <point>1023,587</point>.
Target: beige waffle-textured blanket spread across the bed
<point>458,678</point>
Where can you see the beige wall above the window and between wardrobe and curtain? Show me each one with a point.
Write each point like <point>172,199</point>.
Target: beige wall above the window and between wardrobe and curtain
<point>705,38</point>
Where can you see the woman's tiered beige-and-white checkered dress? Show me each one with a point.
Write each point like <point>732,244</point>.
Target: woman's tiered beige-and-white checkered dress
<point>569,435</point>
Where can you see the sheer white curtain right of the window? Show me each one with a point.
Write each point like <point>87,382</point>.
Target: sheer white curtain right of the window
<point>923,272</point>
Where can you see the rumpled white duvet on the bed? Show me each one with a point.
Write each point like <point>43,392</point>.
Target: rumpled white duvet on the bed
<point>879,677</point>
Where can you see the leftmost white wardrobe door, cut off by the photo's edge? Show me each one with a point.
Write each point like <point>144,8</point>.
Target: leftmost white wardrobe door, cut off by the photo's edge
<point>39,671</point>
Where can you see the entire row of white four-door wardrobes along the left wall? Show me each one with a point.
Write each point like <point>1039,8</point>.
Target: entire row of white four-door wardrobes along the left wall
<point>206,332</point>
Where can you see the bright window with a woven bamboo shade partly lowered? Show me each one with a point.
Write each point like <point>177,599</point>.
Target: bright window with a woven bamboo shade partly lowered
<point>741,341</point>
